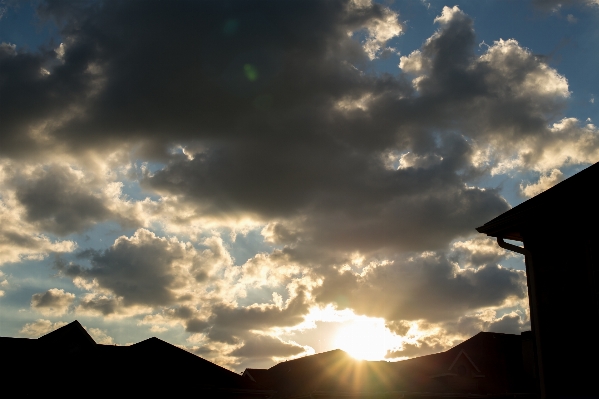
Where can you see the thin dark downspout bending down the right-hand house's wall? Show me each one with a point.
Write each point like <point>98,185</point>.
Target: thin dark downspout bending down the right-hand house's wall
<point>534,308</point>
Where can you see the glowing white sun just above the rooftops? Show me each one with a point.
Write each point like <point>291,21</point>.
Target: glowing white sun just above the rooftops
<point>365,338</point>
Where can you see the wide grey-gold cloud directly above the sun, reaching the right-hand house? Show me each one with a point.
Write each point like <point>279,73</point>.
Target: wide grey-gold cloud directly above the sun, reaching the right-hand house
<point>394,291</point>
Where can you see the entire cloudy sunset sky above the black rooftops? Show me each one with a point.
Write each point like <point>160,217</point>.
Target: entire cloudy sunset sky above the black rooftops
<point>256,181</point>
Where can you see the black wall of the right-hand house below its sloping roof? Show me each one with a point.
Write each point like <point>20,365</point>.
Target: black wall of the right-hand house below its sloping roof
<point>563,272</point>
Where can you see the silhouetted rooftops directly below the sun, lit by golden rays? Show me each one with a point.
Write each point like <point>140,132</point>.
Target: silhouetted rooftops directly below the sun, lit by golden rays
<point>493,364</point>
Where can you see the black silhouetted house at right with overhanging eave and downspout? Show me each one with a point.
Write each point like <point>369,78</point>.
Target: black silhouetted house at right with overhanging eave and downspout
<point>558,229</point>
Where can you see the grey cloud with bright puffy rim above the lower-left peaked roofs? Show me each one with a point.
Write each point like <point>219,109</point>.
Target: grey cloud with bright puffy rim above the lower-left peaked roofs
<point>143,269</point>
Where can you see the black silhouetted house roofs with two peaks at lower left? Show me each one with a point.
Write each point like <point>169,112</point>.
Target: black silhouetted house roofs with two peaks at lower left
<point>69,362</point>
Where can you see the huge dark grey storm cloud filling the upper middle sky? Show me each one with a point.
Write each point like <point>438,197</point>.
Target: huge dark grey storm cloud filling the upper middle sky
<point>266,99</point>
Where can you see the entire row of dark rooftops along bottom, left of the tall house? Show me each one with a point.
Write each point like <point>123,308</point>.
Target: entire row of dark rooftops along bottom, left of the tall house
<point>486,365</point>
